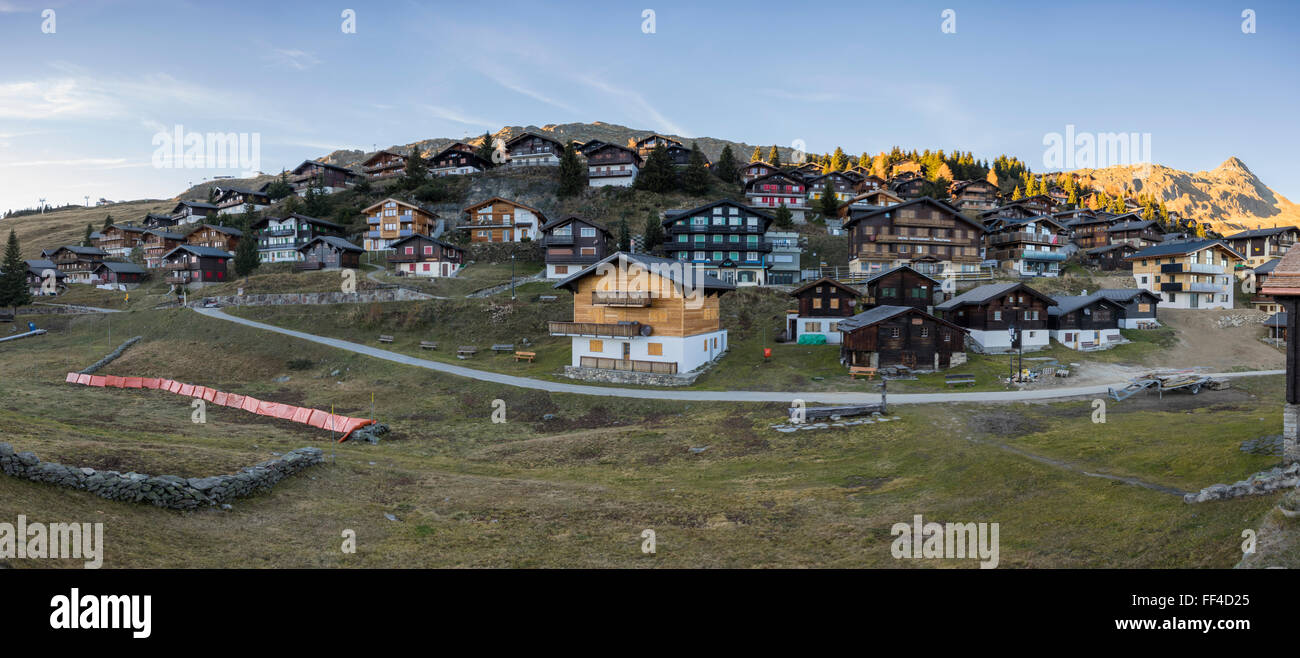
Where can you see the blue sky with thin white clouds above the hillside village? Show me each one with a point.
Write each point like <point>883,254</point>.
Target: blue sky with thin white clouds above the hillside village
<point>89,86</point>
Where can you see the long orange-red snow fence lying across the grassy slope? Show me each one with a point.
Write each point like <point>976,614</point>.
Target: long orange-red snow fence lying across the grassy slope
<point>345,426</point>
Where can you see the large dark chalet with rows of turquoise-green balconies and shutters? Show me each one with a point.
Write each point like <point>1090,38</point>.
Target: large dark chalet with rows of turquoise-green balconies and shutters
<point>725,239</point>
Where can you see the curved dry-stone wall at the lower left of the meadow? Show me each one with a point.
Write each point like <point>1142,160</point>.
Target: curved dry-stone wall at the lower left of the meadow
<point>163,491</point>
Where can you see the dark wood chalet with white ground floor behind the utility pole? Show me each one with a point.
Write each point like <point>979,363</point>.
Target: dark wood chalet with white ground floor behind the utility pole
<point>990,311</point>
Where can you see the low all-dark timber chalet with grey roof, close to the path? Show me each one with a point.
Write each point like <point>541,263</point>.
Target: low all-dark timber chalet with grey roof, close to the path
<point>894,336</point>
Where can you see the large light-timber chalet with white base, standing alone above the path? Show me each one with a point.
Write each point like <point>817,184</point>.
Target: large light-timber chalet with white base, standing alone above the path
<point>638,314</point>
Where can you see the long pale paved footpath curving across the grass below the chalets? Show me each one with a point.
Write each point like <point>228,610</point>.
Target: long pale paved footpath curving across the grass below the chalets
<point>696,396</point>
